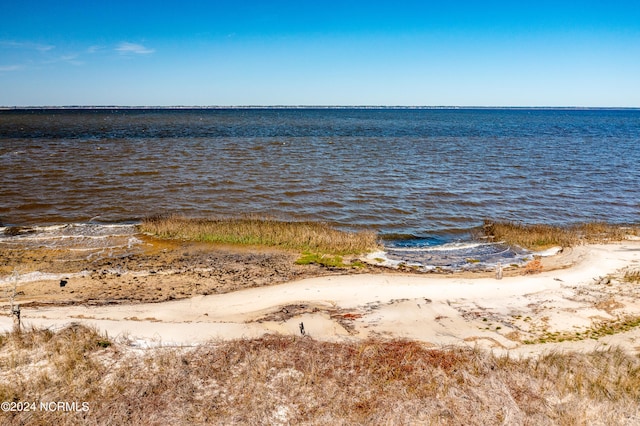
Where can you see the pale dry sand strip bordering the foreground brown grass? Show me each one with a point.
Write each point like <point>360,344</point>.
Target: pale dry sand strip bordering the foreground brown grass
<point>519,314</point>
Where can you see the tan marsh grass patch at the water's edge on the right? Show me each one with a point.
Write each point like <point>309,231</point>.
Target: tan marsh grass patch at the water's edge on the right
<point>539,236</point>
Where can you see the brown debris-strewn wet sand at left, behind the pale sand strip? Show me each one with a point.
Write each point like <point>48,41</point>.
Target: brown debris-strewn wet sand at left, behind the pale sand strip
<point>160,270</point>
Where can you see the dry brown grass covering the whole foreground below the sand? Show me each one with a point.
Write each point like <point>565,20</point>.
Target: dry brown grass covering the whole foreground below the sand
<point>285,380</point>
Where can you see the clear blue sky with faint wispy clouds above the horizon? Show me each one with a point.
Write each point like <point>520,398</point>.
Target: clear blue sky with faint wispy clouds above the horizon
<point>489,53</point>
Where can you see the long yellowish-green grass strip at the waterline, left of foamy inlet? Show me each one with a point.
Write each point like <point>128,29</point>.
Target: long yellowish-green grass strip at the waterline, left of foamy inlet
<point>258,231</point>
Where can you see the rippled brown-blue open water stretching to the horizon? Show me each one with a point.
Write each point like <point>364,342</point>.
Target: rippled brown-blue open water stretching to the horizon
<point>430,174</point>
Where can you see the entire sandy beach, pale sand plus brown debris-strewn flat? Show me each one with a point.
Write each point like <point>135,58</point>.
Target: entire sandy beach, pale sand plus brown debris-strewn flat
<point>201,293</point>
